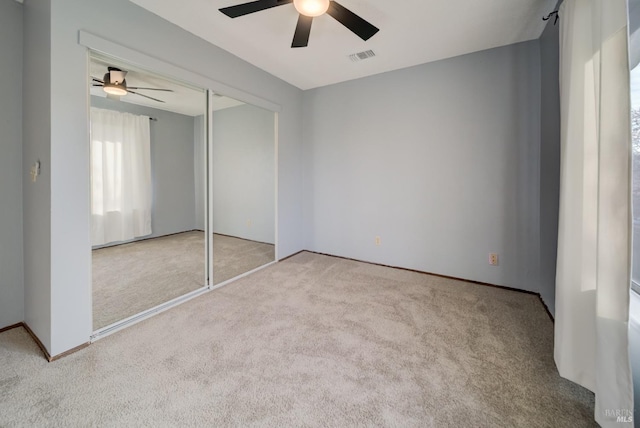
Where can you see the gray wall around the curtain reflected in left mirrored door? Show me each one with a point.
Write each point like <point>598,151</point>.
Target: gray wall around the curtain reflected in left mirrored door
<point>172,166</point>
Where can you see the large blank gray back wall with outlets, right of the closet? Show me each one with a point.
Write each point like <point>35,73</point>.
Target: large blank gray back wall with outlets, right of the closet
<point>440,160</point>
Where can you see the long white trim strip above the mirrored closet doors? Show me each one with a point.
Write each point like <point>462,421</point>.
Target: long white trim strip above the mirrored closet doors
<point>145,61</point>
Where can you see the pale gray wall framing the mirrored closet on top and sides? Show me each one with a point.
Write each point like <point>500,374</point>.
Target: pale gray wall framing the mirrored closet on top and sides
<point>123,23</point>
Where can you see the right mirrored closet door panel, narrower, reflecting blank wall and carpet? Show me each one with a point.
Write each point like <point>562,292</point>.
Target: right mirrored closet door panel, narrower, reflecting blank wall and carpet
<point>243,187</point>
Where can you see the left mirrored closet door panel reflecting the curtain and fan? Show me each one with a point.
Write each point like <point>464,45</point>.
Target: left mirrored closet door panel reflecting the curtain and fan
<point>148,169</point>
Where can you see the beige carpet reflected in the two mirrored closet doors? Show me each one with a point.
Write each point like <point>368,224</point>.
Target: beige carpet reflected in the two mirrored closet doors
<point>131,278</point>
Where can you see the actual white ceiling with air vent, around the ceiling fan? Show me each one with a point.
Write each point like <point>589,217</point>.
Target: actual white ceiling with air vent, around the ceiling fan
<point>411,32</point>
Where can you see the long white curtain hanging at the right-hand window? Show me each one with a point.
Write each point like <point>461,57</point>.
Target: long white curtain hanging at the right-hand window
<point>593,270</point>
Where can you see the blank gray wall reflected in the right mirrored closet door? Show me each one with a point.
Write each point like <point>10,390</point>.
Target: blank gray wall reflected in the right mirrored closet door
<point>243,173</point>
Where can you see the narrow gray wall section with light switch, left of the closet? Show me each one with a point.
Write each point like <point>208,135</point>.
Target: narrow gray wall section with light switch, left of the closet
<point>37,196</point>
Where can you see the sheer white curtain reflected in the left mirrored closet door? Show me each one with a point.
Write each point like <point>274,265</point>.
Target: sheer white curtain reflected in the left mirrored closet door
<point>120,176</point>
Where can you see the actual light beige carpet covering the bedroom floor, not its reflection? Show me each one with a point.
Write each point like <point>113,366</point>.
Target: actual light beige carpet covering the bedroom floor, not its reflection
<point>311,341</point>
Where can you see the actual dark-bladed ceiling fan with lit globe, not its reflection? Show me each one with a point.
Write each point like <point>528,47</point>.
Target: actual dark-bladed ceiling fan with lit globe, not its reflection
<point>308,9</point>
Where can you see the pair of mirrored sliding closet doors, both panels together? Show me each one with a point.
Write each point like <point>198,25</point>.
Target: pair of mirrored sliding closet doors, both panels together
<point>183,190</point>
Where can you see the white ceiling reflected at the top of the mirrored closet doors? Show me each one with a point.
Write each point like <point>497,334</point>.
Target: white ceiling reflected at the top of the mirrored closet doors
<point>184,99</point>
